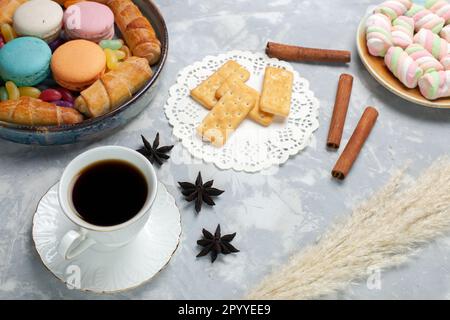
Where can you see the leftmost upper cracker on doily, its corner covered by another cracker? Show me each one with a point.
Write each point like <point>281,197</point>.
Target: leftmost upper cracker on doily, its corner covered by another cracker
<point>205,93</point>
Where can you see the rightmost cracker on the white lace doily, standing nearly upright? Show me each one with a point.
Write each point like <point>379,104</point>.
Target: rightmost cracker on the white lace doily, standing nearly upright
<point>277,91</point>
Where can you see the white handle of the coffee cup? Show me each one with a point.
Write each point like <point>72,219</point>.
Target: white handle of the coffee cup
<point>74,243</point>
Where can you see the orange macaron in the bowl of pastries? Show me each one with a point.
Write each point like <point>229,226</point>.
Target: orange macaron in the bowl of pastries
<point>77,64</point>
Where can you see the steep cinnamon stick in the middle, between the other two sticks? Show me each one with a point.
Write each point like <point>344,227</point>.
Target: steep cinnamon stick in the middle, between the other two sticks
<point>343,94</point>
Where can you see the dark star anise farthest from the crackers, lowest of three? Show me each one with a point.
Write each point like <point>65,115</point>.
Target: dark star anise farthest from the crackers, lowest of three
<point>216,244</point>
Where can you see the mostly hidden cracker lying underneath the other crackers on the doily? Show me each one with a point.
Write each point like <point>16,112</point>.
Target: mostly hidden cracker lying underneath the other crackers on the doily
<point>256,114</point>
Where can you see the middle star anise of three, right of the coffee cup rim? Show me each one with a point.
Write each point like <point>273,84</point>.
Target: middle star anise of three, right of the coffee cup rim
<point>200,192</point>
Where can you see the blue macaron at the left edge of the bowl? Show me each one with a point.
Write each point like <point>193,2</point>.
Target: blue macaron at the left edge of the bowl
<point>25,61</point>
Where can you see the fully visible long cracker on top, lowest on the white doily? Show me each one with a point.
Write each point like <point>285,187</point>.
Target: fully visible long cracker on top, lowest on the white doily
<point>226,116</point>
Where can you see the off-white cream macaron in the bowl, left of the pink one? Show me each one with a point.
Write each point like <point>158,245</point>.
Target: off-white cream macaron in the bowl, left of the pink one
<point>39,18</point>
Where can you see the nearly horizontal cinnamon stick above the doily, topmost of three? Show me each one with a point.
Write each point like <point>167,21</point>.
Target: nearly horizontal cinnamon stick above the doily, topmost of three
<point>295,53</point>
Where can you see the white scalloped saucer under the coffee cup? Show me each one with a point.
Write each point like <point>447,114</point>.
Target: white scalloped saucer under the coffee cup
<point>106,272</point>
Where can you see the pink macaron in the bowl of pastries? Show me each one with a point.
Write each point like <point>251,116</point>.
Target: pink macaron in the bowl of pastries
<point>90,21</point>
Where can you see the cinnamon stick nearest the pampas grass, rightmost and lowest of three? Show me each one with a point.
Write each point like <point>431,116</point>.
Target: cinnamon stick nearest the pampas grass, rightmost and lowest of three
<point>355,144</point>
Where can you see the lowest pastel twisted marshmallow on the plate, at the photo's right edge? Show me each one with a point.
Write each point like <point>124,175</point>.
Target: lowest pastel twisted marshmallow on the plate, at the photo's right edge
<point>435,85</point>
